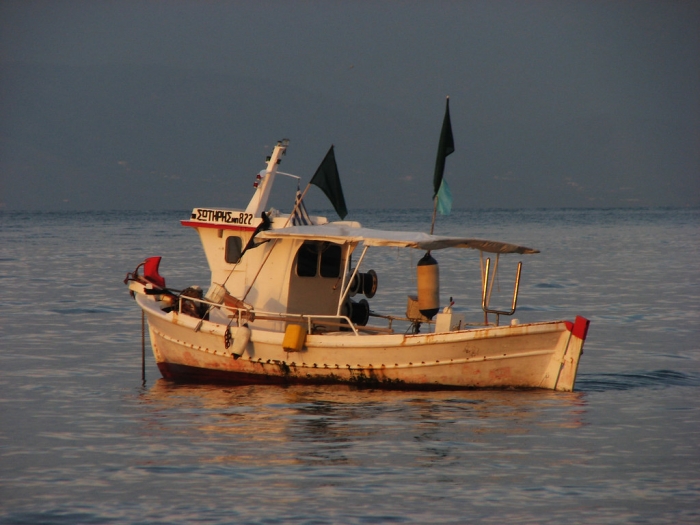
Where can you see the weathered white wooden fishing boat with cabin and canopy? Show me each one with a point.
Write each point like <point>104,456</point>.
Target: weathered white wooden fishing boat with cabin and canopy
<point>288,303</point>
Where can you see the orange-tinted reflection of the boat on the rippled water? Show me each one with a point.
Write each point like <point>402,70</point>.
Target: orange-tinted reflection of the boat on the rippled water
<point>265,425</point>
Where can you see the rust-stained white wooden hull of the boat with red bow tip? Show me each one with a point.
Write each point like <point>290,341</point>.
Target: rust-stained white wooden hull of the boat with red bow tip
<point>537,355</point>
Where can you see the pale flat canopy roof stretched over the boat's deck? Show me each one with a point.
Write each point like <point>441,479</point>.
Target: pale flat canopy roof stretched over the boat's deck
<point>344,233</point>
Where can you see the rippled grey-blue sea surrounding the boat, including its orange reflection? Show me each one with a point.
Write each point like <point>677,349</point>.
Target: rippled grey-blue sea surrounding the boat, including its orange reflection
<point>83,440</point>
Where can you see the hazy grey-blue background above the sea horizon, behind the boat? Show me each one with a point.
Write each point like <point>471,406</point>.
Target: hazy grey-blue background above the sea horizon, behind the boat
<point>566,103</point>
